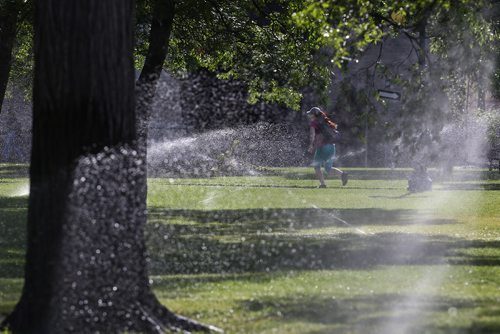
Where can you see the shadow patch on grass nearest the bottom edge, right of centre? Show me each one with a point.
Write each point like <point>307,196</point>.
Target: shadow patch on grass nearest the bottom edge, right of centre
<point>386,313</point>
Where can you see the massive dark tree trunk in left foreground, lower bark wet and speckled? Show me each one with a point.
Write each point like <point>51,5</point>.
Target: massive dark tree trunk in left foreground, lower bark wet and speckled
<point>86,262</point>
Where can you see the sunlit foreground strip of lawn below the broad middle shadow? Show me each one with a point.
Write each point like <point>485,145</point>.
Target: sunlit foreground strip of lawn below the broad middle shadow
<point>343,301</point>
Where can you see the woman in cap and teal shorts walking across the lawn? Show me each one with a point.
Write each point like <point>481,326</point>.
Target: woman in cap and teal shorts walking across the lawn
<point>322,143</point>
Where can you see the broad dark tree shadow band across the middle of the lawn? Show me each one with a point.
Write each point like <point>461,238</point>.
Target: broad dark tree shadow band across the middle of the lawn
<point>243,241</point>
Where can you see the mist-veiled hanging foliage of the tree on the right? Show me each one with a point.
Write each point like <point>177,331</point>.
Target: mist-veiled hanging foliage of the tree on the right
<point>452,67</point>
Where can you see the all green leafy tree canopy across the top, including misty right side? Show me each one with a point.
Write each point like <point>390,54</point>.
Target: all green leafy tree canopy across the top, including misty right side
<point>279,48</point>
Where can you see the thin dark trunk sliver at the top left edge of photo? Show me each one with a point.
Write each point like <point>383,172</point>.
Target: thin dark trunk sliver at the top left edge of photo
<point>9,12</point>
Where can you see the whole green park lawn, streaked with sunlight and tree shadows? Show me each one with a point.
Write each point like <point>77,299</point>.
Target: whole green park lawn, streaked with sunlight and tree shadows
<point>272,254</point>
